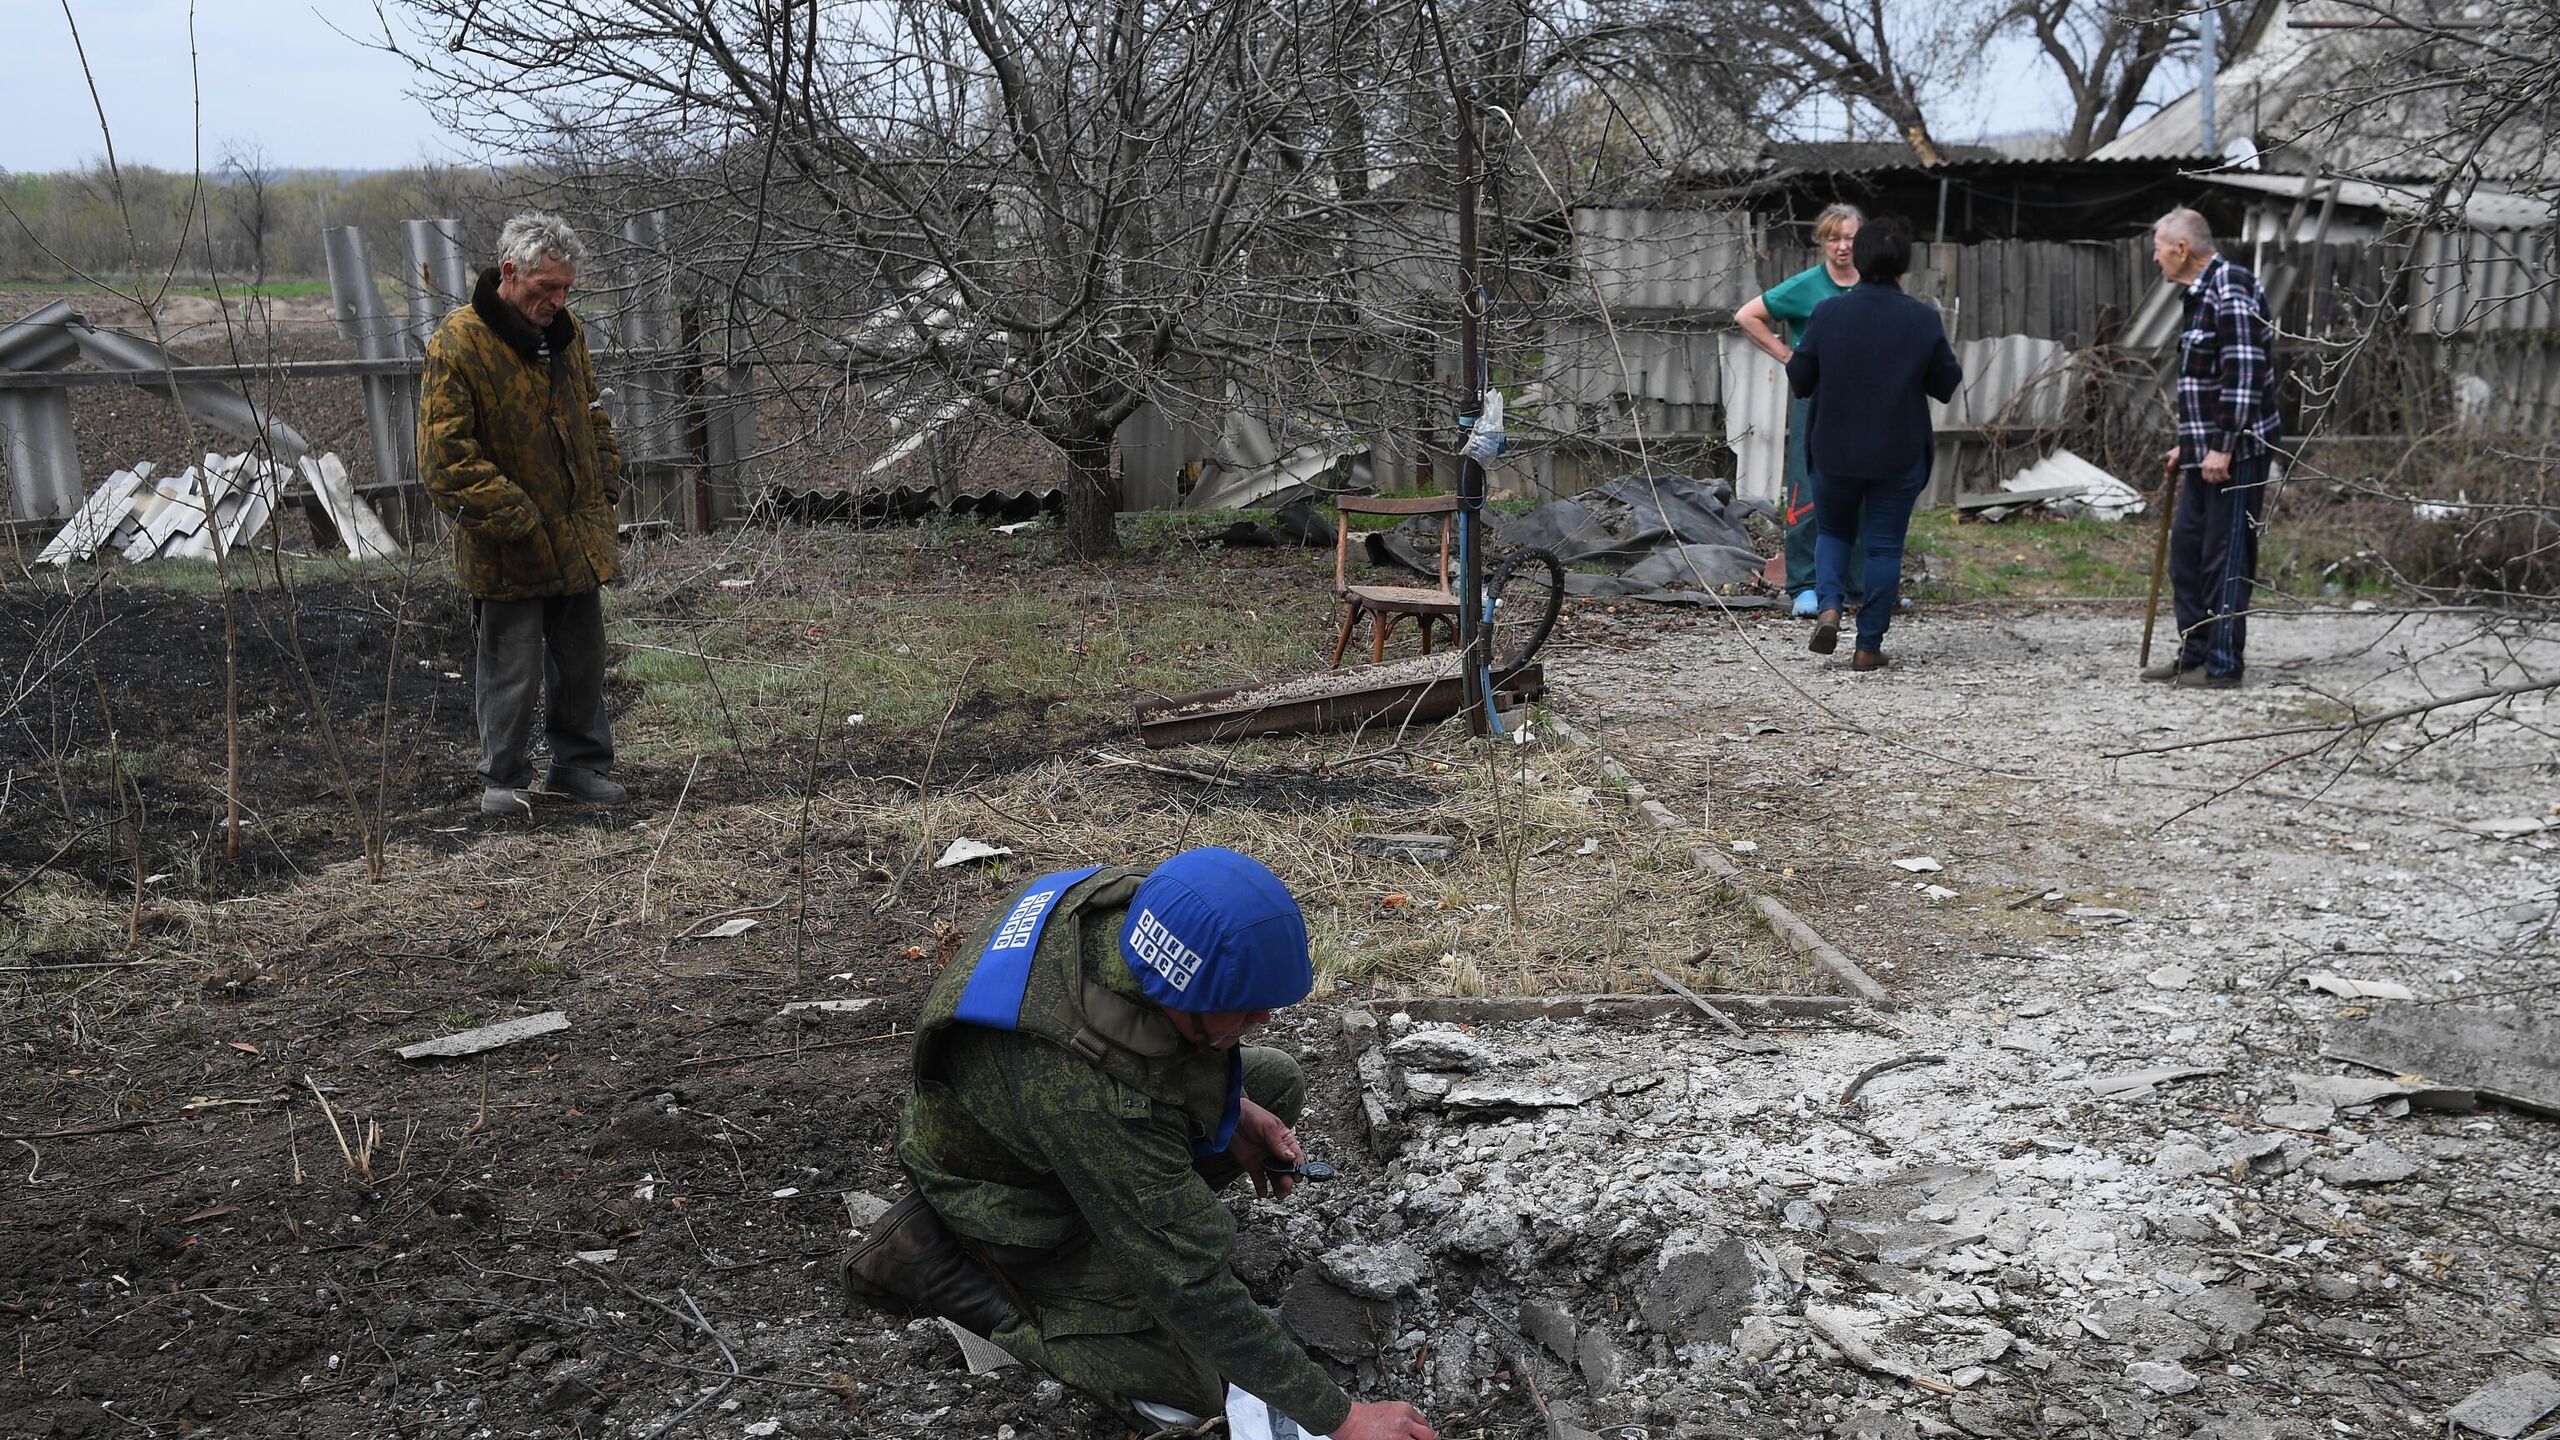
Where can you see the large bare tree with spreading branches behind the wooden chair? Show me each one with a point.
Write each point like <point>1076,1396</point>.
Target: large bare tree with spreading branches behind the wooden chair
<point>1041,209</point>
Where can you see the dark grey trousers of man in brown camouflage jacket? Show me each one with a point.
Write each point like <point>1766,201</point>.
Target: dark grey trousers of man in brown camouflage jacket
<point>552,650</point>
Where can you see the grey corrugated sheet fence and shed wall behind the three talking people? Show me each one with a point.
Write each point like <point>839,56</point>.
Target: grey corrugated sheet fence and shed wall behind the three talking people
<point>2472,342</point>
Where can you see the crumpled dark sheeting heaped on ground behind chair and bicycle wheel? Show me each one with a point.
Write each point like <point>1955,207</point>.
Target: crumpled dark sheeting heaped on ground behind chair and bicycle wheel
<point>1652,532</point>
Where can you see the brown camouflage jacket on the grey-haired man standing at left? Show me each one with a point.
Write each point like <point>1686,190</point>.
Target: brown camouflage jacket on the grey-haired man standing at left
<point>516,447</point>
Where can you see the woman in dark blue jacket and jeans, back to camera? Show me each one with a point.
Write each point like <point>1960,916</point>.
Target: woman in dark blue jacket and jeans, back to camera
<point>1870,360</point>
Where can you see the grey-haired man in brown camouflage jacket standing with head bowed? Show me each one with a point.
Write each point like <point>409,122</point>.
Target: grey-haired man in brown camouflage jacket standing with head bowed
<point>516,447</point>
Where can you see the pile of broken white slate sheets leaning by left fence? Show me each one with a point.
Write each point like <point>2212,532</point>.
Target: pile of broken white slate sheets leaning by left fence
<point>227,501</point>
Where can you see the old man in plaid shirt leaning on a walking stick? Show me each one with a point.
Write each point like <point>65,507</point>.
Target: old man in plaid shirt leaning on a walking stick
<point>2226,450</point>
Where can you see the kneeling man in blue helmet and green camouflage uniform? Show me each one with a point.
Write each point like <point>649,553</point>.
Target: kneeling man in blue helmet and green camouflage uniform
<point>1079,1100</point>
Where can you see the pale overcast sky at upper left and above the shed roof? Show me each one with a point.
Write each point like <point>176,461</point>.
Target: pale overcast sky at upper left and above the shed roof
<point>296,83</point>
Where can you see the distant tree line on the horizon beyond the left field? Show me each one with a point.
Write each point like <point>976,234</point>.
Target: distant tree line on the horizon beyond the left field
<point>237,224</point>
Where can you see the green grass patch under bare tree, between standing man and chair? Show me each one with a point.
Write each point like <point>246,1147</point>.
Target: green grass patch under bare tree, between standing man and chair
<point>910,626</point>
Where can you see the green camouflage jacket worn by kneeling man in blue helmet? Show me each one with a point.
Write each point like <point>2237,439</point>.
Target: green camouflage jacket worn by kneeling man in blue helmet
<point>1084,1121</point>
